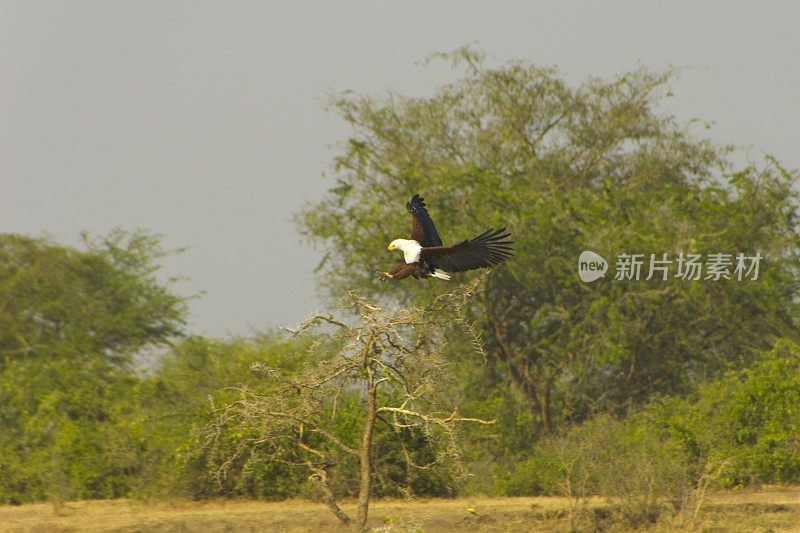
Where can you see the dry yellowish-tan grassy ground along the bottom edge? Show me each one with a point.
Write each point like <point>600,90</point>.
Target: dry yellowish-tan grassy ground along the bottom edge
<point>769,509</point>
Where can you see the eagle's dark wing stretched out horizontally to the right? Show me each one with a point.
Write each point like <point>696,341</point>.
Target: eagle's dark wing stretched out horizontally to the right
<point>487,249</point>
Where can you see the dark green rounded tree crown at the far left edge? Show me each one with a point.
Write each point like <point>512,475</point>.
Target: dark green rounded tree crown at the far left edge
<point>106,303</point>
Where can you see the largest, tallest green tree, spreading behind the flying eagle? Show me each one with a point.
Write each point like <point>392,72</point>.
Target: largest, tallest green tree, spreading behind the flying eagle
<point>595,167</point>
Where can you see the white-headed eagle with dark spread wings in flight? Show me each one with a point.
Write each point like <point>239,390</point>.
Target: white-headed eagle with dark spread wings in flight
<point>425,257</point>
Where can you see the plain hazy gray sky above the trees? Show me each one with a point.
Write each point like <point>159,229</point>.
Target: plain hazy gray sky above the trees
<point>203,121</point>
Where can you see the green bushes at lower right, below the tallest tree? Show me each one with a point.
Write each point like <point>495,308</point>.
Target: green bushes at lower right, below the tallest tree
<point>741,429</point>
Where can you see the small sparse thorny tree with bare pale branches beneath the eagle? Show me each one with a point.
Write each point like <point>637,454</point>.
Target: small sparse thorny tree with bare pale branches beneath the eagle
<point>389,363</point>
